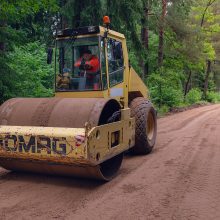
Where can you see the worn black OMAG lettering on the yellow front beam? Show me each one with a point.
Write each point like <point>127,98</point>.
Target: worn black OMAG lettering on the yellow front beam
<point>33,144</point>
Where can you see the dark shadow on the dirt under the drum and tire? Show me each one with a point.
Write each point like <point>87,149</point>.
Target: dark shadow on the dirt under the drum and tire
<point>129,165</point>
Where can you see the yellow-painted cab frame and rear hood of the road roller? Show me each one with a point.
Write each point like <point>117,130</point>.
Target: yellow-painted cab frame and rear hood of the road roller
<point>132,84</point>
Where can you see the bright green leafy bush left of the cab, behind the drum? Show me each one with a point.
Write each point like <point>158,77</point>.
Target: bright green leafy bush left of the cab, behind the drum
<point>34,78</point>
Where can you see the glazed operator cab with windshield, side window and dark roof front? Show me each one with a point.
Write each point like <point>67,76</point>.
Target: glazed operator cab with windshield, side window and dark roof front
<point>81,63</point>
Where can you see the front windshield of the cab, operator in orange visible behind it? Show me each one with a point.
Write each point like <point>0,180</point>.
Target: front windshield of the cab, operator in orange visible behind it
<point>77,64</point>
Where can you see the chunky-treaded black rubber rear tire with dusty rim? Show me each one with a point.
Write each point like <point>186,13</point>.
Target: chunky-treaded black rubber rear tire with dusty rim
<point>142,110</point>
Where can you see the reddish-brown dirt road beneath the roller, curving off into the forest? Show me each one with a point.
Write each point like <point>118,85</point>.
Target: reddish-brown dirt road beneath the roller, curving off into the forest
<point>179,180</point>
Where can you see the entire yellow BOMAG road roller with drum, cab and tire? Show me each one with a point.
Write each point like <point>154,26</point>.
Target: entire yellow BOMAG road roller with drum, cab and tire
<point>101,109</point>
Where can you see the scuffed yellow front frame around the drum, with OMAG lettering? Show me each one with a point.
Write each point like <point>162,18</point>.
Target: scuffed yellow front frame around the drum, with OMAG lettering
<point>83,146</point>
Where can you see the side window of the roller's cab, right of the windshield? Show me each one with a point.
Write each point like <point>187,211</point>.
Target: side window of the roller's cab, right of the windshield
<point>115,62</point>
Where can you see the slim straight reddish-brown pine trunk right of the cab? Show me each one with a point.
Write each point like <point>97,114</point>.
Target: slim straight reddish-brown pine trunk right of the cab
<point>161,33</point>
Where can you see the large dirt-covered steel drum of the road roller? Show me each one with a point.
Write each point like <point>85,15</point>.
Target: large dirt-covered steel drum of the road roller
<point>65,113</point>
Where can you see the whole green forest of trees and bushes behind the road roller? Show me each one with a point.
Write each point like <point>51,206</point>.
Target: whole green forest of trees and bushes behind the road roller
<point>174,45</point>
